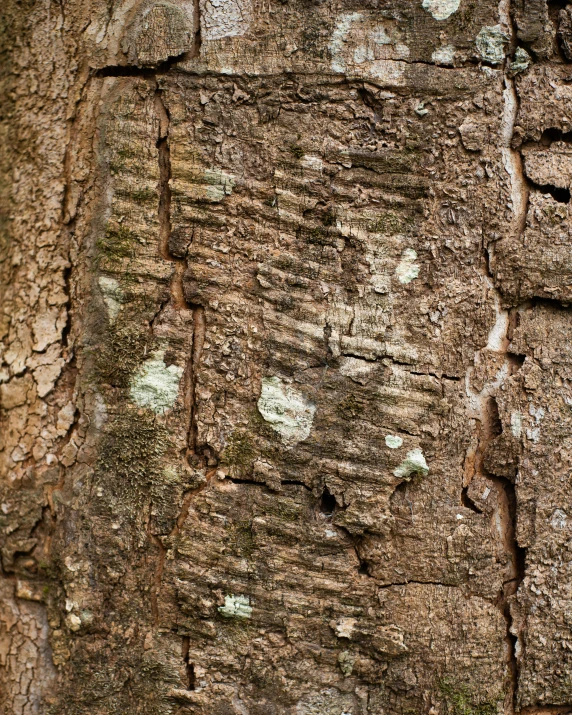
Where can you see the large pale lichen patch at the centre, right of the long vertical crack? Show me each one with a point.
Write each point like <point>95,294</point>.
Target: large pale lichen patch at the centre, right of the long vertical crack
<point>286,409</point>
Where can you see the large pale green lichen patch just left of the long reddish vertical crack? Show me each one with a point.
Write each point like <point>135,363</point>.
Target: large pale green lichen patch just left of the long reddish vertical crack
<point>156,385</point>
